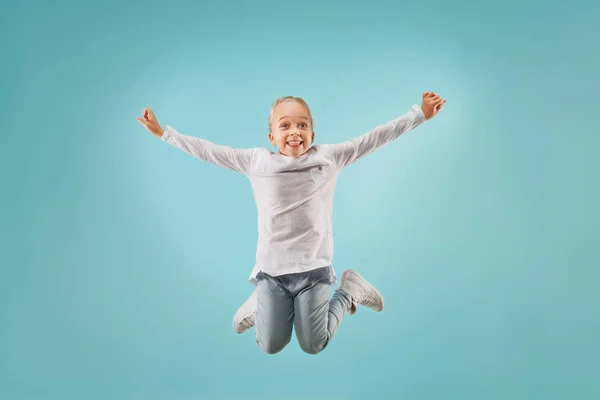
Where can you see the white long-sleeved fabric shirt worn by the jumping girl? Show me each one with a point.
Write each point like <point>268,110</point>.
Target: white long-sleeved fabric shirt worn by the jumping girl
<point>294,196</point>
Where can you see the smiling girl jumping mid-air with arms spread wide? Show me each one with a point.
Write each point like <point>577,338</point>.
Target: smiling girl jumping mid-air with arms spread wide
<point>293,189</point>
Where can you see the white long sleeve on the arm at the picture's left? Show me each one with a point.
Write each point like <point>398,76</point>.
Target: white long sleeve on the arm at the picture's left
<point>238,160</point>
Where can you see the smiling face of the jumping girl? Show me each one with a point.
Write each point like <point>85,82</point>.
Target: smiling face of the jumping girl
<point>291,130</point>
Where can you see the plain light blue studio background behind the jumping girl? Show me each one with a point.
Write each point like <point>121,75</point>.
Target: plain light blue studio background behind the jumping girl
<point>123,259</point>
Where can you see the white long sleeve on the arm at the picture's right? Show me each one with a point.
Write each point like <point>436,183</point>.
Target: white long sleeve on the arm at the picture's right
<point>345,153</point>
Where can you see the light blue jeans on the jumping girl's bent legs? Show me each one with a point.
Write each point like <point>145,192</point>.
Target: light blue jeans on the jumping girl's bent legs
<point>300,300</point>
